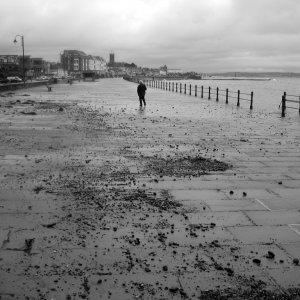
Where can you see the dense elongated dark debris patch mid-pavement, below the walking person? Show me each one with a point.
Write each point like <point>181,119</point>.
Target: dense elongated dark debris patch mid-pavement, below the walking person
<point>185,166</point>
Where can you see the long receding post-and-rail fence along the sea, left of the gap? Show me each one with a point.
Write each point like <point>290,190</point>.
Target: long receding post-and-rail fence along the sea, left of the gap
<point>209,92</point>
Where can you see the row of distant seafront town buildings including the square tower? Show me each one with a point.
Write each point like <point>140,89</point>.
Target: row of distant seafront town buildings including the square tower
<point>78,64</point>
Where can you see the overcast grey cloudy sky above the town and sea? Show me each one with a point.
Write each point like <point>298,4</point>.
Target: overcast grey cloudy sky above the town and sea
<point>198,35</point>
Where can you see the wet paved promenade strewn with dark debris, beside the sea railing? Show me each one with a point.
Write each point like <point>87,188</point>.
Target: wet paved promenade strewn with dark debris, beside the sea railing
<point>186,198</point>
